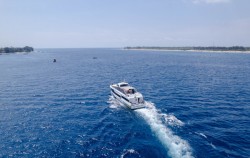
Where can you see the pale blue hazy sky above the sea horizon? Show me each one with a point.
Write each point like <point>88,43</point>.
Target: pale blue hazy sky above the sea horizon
<point>120,23</point>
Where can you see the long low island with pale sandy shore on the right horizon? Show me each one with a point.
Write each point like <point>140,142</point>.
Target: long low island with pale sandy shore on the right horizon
<point>233,48</point>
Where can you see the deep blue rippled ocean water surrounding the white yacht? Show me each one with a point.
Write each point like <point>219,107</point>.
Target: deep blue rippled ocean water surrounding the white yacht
<point>198,104</point>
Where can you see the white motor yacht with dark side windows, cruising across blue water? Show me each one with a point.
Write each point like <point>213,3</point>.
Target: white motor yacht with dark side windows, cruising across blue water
<point>127,95</point>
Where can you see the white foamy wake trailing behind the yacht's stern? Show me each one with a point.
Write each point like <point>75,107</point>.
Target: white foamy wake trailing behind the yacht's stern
<point>158,122</point>
